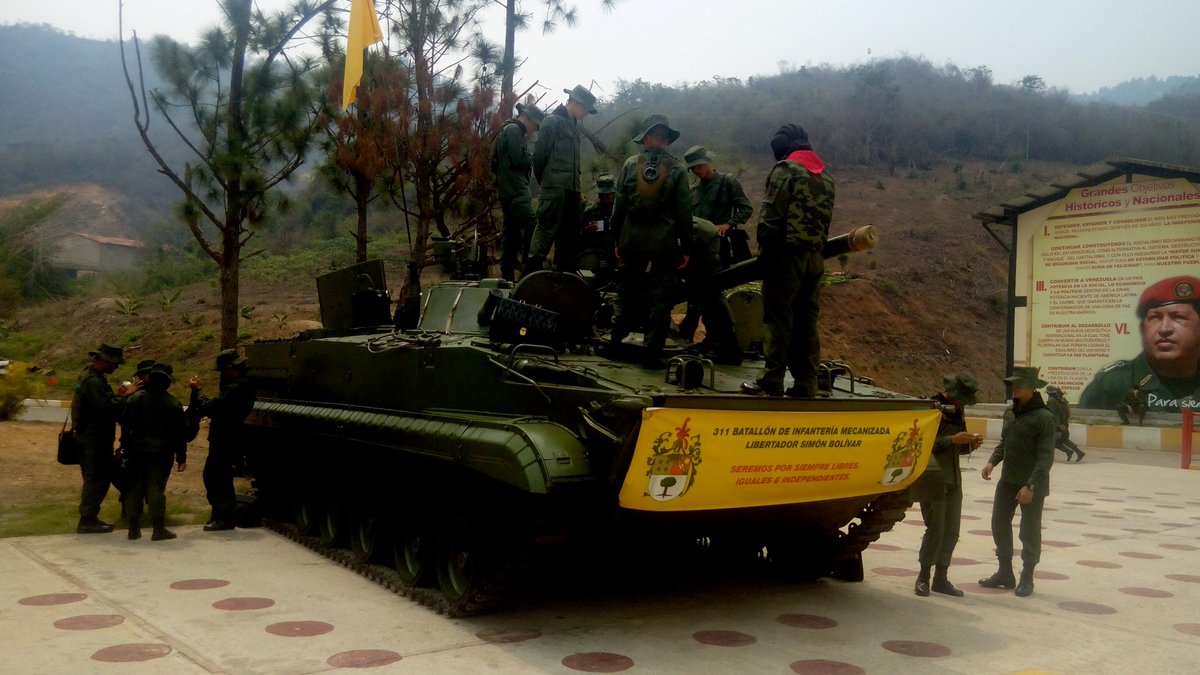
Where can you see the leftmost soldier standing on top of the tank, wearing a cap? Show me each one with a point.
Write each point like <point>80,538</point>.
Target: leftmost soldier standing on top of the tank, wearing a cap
<point>512,165</point>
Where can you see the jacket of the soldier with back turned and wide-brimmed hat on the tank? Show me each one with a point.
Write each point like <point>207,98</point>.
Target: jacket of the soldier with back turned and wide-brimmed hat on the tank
<point>652,220</point>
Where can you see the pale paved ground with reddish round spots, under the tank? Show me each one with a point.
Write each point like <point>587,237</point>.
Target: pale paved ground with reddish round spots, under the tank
<point>1119,592</point>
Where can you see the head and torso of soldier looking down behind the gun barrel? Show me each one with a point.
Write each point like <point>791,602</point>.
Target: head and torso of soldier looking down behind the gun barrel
<point>719,199</point>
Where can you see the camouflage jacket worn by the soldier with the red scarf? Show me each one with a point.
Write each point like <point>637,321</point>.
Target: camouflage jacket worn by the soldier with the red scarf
<point>796,210</point>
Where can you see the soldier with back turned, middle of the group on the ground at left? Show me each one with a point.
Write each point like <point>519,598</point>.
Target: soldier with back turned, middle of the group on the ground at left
<point>155,438</point>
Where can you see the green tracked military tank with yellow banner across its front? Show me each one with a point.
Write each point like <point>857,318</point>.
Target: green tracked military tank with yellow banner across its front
<point>453,452</point>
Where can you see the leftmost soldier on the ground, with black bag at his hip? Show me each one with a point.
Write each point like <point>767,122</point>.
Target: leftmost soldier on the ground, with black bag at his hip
<point>95,410</point>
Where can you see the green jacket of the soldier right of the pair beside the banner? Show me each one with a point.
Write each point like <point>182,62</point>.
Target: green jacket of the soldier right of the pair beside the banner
<point>1027,447</point>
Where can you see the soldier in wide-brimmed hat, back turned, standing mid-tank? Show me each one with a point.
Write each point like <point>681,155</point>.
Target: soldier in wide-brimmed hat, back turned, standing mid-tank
<point>652,226</point>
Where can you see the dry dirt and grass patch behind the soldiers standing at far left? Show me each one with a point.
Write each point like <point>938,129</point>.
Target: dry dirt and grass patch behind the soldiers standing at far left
<point>32,482</point>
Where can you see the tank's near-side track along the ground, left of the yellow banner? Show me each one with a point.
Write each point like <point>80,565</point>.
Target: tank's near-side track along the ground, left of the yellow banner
<point>497,594</point>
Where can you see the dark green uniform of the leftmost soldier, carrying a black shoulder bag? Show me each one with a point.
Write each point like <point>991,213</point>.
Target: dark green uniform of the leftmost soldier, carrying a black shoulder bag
<point>95,410</point>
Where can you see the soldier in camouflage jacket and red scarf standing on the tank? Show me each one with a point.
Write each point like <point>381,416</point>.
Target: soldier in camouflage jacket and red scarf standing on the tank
<point>793,231</point>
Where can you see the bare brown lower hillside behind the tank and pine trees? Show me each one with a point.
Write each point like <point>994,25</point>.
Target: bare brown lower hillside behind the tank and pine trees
<point>929,301</point>
